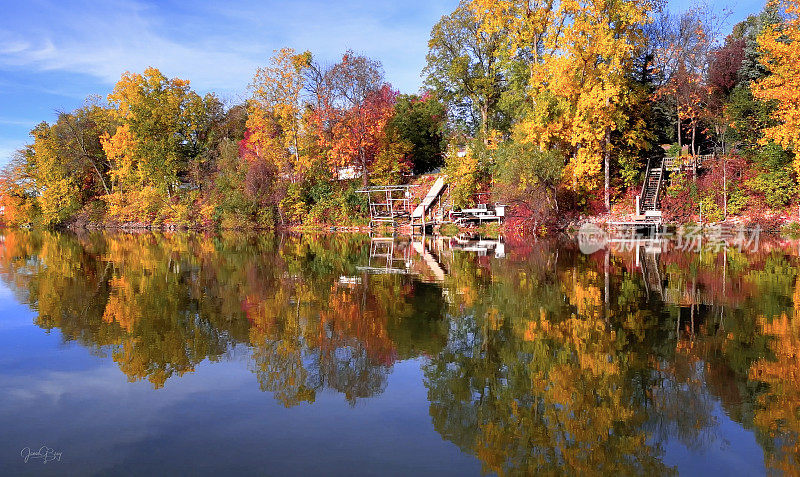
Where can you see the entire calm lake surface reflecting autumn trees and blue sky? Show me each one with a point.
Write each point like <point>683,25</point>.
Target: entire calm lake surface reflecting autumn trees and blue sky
<point>135,354</point>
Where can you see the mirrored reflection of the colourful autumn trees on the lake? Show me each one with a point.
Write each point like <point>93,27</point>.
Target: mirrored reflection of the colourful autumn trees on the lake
<point>546,361</point>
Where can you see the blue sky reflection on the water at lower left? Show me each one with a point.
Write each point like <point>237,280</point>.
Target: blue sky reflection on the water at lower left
<point>215,420</point>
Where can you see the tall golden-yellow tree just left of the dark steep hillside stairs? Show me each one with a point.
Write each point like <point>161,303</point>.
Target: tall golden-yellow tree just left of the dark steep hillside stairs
<point>580,56</point>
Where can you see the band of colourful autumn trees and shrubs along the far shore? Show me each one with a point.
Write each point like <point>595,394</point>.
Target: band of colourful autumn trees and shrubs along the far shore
<point>554,109</point>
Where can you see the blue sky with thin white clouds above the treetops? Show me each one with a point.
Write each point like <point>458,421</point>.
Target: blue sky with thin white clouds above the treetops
<point>53,54</point>
